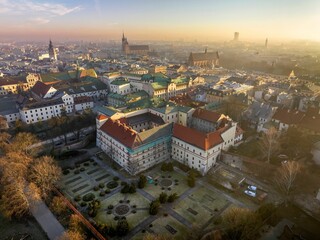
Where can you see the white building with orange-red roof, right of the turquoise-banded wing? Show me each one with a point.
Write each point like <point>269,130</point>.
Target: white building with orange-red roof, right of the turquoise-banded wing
<point>196,149</point>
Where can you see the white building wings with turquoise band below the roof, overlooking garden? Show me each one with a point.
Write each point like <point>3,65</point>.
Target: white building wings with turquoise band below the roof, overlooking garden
<point>132,150</point>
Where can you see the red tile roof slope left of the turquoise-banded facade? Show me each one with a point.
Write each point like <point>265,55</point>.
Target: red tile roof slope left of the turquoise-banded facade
<point>121,132</point>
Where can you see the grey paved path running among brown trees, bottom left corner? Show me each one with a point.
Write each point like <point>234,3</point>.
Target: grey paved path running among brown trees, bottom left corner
<point>47,221</point>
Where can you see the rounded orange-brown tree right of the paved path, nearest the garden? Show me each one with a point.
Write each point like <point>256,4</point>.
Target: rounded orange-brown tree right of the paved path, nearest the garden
<point>45,174</point>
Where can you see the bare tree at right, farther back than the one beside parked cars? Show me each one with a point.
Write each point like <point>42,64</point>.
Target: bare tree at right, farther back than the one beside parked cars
<point>269,143</point>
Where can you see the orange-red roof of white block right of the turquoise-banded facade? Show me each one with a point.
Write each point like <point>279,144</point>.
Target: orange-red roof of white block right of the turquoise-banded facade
<point>197,138</point>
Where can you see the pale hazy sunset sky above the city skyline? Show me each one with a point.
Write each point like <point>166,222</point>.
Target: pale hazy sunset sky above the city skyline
<point>188,20</point>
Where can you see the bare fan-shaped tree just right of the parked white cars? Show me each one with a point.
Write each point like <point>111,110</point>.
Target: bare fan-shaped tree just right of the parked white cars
<point>286,176</point>
